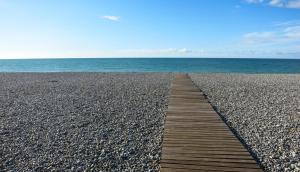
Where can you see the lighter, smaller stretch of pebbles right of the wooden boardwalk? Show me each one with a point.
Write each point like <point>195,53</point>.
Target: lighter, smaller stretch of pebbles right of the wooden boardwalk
<point>264,110</point>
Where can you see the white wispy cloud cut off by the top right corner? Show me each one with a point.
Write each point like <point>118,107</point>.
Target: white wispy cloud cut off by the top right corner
<point>278,3</point>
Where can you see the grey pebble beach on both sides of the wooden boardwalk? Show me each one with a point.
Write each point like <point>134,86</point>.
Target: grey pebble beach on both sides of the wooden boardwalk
<point>115,121</point>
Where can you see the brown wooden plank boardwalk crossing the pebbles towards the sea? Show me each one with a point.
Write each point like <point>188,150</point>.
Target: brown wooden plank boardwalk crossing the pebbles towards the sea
<point>196,138</point>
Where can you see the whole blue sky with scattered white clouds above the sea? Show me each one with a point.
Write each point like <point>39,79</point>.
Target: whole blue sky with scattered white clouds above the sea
<point>149,28</point>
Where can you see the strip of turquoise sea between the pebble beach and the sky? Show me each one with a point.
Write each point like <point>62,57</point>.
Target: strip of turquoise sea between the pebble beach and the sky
<point>153,65</point>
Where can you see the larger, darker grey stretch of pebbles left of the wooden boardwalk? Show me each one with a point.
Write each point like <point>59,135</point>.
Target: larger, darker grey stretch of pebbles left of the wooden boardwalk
<point>82,121</point>
